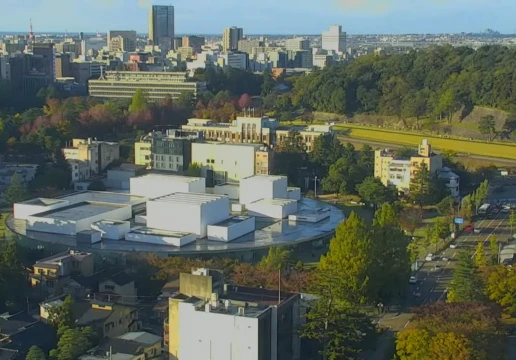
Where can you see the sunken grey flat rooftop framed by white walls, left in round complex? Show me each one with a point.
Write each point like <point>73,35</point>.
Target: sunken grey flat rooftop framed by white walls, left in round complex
<point>78,211</point>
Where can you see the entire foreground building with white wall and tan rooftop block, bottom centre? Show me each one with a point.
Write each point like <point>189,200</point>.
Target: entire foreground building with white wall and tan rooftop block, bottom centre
<point>231,322</point>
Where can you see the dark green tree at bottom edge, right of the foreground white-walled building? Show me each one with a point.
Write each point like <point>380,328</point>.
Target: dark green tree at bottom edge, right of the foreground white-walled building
<point>341,332</point>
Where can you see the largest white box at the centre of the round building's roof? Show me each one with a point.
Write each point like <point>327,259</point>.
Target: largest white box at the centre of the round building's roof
<point>187,212</point>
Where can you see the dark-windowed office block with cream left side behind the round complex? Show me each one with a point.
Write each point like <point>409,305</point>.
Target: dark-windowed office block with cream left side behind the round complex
<point>171,151</point>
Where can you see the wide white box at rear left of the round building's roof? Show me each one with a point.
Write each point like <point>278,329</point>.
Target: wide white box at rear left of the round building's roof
<point>156,185</point>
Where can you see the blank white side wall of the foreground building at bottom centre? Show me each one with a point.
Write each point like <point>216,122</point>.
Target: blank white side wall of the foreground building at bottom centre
<point>209,335</point>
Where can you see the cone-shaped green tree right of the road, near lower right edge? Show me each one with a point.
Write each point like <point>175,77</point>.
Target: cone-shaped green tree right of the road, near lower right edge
<point>466,283</point>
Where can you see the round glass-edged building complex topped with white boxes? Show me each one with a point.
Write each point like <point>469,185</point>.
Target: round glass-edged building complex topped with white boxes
<point>174,214</point>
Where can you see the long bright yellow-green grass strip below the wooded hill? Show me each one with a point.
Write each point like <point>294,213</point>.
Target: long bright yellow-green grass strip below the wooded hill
<point>506,151</point>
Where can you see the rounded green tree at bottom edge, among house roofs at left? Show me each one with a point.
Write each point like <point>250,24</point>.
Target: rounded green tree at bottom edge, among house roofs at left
<point>72,344</point>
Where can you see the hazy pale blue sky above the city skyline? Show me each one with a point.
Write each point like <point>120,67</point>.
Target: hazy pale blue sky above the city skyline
<point>264,16</point>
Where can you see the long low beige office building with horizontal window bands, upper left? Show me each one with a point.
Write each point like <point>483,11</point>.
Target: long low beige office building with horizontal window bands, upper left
<point>157,85</point>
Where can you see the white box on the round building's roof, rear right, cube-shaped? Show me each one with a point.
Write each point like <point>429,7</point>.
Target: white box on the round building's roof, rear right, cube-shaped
<point>261,187</point>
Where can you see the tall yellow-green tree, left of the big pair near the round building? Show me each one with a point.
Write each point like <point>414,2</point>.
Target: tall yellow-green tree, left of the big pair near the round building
<point>349,262</point>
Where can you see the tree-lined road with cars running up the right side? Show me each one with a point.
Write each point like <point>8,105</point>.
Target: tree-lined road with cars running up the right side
<point>433,282</point>
